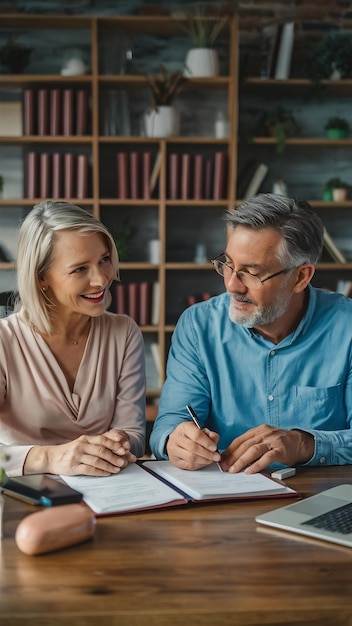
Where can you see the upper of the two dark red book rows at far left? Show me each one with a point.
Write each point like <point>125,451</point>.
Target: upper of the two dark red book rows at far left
<point>55,112</point>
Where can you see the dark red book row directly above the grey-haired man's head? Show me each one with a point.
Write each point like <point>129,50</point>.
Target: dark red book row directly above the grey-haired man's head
<point>197,177</point>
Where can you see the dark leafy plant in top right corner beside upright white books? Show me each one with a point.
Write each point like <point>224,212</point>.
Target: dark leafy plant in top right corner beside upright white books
<point>331,57</point>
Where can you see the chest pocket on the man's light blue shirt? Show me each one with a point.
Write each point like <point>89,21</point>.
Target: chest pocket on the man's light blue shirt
<point>320,407</point>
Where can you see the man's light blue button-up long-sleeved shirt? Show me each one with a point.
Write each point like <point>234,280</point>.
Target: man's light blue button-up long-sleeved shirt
<point>236,379</point>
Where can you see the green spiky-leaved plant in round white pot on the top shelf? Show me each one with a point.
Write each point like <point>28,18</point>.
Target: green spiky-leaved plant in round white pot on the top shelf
<point>202,59</point>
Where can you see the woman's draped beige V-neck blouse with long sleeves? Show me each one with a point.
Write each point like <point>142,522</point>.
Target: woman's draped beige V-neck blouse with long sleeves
<point>36,404</point>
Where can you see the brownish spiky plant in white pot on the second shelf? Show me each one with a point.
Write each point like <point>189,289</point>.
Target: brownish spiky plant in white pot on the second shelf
<point>161,118</point>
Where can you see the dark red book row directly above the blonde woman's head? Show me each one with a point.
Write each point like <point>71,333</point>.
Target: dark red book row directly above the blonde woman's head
<point>57,175</point>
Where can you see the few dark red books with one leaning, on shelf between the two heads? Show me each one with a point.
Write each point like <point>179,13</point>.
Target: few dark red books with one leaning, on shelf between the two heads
<point>136,179</point>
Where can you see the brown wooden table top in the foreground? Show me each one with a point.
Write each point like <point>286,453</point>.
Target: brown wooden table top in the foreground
<point>200,564</point>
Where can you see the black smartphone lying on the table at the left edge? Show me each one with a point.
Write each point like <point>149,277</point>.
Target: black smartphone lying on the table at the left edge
<point>40,489</point>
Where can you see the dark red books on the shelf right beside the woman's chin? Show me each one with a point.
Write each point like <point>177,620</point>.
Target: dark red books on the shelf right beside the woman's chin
<point>138,300</point>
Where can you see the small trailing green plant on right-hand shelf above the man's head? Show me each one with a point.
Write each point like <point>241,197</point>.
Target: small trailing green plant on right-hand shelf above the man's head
<point>278,123</point>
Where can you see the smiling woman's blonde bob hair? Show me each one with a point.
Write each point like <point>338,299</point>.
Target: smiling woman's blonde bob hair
<point>35,254</point>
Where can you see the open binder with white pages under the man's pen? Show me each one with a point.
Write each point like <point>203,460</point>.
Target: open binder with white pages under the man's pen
<point>159,484</point>
